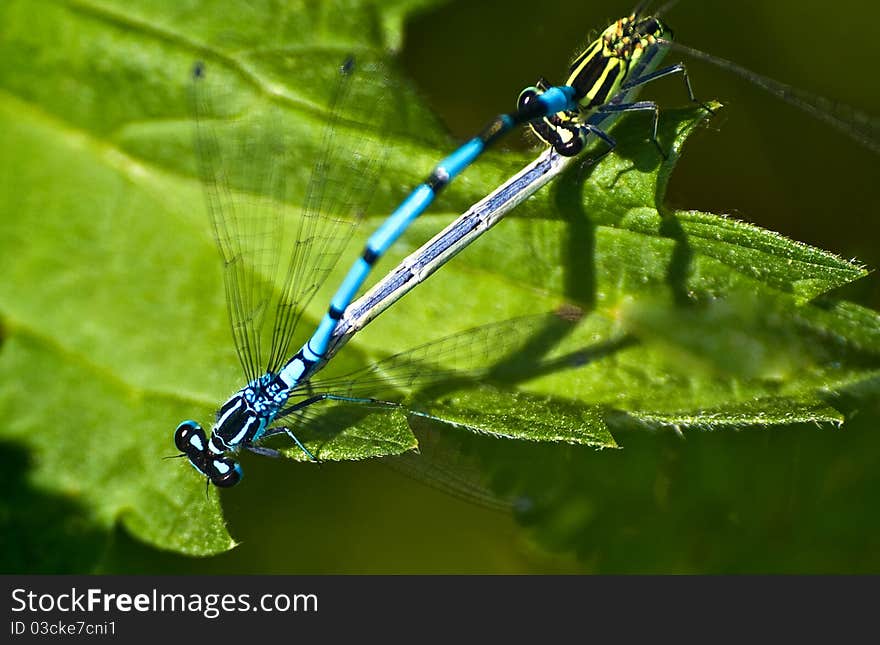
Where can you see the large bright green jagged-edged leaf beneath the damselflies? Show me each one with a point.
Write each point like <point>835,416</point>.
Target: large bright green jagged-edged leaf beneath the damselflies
<point>112,300</point>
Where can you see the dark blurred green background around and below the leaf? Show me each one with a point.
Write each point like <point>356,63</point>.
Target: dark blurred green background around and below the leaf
<point>799,499</point>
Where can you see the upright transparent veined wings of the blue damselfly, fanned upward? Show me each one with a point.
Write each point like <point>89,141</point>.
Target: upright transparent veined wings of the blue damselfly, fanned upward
<point>276,258</point>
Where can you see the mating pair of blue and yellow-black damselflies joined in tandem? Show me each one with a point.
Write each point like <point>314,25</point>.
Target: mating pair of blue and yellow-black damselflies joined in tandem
<point>272,270</point>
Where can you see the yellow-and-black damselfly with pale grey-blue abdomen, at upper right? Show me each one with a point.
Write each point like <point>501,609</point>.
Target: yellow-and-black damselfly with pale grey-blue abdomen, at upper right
<point>606,77</point>
